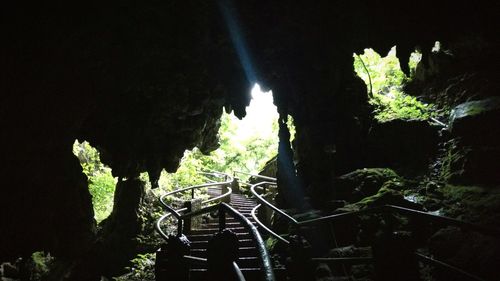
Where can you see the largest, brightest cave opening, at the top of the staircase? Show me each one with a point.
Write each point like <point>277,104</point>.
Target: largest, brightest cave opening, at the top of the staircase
<point>246,145</point>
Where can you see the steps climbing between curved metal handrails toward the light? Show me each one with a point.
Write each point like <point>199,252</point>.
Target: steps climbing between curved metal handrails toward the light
<point>248,261</point>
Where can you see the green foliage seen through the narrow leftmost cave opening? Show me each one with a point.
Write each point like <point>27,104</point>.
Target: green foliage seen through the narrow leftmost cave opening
<point>101,182</point>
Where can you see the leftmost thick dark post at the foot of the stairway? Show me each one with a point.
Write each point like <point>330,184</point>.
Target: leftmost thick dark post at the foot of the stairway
<point>170,263</point>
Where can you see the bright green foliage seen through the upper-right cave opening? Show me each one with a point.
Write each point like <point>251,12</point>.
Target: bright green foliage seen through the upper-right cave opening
<point>387,80</point>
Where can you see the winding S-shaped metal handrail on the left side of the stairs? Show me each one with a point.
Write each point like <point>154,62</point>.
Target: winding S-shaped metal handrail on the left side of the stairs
<point>177,213</point>
